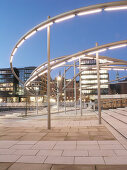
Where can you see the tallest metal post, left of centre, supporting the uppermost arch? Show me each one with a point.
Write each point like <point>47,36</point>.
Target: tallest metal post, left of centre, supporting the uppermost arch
<point>48,77</point>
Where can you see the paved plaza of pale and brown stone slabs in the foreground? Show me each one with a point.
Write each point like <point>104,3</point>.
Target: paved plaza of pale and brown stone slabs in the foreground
<point>74,142</point>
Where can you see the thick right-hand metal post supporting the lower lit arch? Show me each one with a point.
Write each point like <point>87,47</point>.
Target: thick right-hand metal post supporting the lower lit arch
<point>98,86</point>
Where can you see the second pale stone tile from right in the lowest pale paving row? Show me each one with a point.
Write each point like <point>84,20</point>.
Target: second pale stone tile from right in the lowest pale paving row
<point>89,160</point>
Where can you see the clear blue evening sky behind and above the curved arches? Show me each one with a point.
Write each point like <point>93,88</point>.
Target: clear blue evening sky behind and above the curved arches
<point>77,34</point>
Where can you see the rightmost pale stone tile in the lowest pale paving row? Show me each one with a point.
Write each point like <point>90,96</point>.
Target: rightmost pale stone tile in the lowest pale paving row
<point>121,160</point>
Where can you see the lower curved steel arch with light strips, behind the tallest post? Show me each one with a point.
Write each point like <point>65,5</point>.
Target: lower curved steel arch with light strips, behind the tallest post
<point>39,72</point>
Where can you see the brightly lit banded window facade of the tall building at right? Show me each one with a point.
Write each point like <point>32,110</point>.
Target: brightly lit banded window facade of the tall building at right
<point>89,78</point>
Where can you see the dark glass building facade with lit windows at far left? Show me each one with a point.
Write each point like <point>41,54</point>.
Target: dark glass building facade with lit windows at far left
<point>9,85</point>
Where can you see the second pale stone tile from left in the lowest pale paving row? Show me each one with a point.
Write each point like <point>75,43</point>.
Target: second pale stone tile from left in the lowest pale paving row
<point>31,159</point>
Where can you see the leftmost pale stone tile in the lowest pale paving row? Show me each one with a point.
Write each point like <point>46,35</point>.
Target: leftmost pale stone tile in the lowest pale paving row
<point>9,158</point>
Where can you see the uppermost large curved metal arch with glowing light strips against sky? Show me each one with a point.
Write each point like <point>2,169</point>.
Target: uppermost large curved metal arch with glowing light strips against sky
<point>64,16</point>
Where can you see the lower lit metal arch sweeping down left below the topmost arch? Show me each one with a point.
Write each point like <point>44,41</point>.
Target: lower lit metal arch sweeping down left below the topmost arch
<point>88,54</point>
